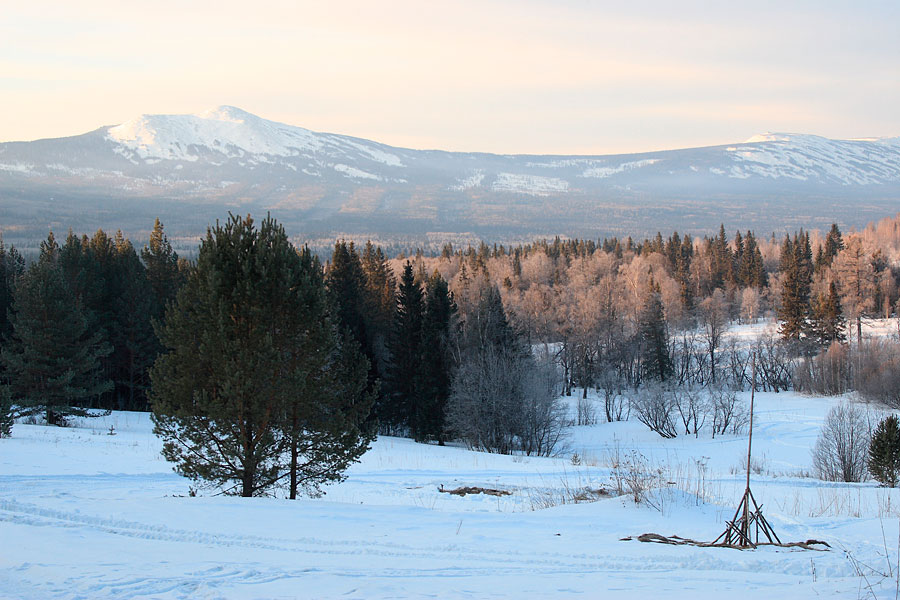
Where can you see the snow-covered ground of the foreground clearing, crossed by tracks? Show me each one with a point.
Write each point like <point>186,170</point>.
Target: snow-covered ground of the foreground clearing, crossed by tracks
<point>85,514</point>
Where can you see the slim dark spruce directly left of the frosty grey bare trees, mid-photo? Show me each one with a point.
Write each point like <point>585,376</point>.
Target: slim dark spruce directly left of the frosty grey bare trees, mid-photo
<point>436,360</point>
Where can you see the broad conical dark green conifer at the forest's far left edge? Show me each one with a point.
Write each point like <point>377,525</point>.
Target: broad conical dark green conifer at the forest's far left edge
<point>51,356</point>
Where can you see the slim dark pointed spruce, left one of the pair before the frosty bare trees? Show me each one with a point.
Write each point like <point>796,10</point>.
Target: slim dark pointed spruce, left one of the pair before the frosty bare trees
<point>405,347</point>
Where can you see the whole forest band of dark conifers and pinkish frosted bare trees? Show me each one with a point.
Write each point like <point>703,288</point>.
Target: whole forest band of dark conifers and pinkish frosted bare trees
<point>265,367</point>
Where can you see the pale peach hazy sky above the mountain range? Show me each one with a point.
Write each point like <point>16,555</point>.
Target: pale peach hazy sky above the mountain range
<point>525,76</point>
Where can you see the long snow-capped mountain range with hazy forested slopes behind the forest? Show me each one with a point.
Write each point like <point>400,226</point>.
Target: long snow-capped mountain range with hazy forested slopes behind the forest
<point>190,169</point>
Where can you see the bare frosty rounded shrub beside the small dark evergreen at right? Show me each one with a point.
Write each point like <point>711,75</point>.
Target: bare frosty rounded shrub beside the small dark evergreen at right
<point>841,450</point>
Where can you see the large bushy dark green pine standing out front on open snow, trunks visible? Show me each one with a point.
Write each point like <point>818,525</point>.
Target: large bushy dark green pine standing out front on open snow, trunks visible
<point>253,387</point>
